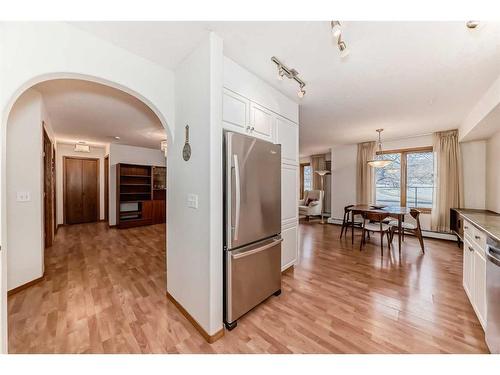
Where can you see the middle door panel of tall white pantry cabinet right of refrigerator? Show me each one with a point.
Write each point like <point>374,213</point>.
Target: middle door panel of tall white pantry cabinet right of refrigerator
<point>289,193</point>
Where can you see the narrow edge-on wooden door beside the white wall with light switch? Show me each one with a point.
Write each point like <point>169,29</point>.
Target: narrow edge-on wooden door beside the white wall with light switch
<point>48,217</point>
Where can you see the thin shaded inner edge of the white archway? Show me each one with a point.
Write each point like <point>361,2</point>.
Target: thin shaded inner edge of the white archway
<point>18,95</point>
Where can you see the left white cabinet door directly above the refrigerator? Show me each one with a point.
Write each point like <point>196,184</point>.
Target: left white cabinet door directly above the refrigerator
<point>235,111</point>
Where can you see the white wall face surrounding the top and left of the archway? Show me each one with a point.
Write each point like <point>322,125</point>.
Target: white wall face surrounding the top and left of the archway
<point>35,52</point>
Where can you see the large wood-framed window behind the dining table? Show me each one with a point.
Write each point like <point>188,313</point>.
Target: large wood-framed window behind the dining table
<point>408,180</point>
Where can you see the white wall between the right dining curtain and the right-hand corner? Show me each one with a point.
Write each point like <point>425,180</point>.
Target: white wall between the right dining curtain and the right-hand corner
<point>474,173</point>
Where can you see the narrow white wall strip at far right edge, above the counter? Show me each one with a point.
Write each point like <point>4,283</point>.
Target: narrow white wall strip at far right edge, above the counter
<point>493,173</point>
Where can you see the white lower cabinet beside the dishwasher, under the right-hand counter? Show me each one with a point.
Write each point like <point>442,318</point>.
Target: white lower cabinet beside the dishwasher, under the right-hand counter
<point>474,272</point>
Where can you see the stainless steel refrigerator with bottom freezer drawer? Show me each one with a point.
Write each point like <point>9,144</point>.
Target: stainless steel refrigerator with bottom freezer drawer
<point>252,224</point>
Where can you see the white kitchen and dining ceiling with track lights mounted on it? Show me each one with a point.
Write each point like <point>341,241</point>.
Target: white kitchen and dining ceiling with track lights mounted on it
<point>409,78</point>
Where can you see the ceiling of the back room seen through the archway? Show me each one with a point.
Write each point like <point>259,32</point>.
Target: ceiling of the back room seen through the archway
<point>87,111</point>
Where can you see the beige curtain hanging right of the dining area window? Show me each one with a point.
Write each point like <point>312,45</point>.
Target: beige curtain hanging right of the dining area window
<point>448,190</point>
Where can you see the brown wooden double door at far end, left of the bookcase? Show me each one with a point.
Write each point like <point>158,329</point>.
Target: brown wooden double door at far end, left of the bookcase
<point>81,192</point>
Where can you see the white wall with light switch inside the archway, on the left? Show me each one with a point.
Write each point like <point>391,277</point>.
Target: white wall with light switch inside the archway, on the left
<point>25,174</point>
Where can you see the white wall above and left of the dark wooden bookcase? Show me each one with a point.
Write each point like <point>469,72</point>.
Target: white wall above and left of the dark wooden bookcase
<point>132,155</point>
